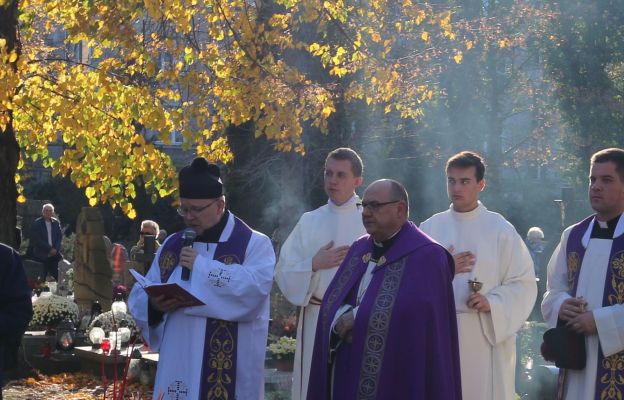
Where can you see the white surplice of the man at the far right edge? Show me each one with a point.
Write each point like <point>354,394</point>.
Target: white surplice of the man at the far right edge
<point>581,384</point>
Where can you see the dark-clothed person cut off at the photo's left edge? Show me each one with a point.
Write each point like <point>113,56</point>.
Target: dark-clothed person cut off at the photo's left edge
<point>15,307</point>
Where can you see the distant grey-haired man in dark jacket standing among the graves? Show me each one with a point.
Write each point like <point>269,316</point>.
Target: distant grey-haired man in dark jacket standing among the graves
<point>45,238</point>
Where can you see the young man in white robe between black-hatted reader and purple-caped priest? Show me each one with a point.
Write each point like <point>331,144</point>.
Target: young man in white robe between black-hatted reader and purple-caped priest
<point>313,251</point>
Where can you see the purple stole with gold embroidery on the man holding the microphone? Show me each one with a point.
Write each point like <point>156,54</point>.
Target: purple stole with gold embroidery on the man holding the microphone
<point>221,337</point>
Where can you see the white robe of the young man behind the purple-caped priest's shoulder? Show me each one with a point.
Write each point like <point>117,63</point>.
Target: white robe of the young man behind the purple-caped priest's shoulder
<point>299,284</point>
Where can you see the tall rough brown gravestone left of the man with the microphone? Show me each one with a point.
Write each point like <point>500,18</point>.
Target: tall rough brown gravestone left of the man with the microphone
<point>92,272</point>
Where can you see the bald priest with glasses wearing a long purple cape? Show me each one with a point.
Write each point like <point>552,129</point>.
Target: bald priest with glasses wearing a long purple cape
<point>387,326</point>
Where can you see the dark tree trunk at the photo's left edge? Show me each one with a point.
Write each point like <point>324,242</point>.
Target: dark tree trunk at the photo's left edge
<point>9,149</point>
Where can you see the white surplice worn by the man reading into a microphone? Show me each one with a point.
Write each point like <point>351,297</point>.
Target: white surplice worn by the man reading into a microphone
<point>231,292</point>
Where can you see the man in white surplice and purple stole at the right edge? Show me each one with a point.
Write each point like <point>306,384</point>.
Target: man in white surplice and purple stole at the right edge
<point>585,290</point>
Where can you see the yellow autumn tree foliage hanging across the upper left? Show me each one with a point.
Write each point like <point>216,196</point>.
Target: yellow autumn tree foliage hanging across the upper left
<point>152,67</point>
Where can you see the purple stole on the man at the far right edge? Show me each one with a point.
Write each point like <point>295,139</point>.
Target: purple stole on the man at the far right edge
<point>610,370</point>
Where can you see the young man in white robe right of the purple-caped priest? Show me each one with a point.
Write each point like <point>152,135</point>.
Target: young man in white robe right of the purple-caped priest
<point>486,248</point>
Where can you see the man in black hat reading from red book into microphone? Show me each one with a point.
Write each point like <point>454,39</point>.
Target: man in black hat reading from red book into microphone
<point>215,350</point>
